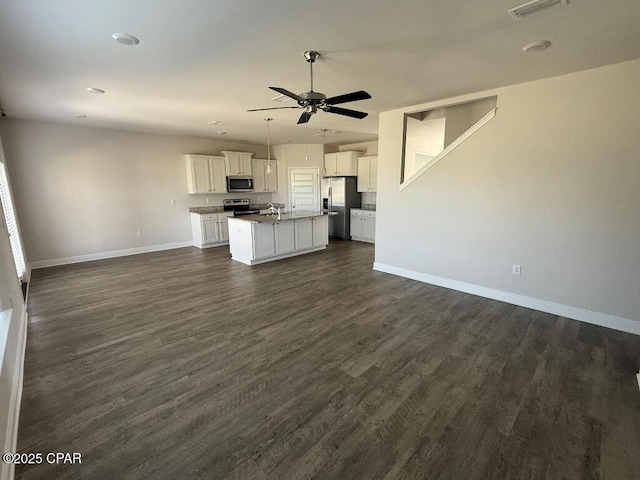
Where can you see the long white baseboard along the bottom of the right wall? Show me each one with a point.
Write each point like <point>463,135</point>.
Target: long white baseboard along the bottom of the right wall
<point>575,313</point>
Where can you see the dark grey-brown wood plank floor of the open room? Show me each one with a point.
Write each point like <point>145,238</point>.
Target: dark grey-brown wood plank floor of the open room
<point>186,365</point>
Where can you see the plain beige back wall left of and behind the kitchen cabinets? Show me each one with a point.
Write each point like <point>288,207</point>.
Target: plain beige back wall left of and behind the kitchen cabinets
<point>81,190</point>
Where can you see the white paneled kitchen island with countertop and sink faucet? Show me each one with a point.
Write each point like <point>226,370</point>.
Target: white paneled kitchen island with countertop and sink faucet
<point>255,239</point>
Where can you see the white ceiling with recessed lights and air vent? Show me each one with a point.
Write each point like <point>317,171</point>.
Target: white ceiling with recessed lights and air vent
<point>201,60</point>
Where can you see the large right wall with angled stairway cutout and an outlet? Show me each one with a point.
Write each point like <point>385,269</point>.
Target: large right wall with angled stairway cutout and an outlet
<point>551,183</point>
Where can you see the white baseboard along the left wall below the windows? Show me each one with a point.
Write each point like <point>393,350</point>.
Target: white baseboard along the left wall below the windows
<point>11,435</point>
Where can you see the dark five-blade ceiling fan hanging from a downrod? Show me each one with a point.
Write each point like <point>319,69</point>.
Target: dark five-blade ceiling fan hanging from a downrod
<point>313,101</point>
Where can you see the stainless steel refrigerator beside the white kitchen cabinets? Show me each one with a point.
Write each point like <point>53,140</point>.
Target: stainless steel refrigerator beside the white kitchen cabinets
<point>339,194</point>
